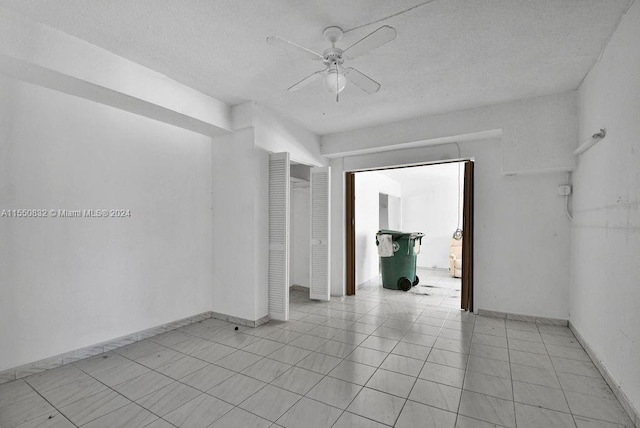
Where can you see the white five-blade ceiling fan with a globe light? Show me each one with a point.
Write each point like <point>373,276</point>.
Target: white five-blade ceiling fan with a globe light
<point>334,73</point>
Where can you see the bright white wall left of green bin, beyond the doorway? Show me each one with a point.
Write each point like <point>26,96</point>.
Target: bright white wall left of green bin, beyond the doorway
<point>368,186</point>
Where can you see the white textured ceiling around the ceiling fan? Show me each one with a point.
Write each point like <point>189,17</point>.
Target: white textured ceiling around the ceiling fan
<point>448,55</point>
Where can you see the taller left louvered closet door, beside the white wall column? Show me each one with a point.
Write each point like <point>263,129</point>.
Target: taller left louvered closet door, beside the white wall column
<point>279,236</point>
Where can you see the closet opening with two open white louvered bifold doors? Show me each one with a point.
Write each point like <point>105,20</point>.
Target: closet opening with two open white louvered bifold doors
<point>285,178</point>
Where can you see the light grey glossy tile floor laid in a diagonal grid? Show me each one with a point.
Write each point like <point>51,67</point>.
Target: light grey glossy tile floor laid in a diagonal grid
<point>381,358</point>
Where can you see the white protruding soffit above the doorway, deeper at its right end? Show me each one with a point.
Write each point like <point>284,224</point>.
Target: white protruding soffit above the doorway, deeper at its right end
<point>537,134</point>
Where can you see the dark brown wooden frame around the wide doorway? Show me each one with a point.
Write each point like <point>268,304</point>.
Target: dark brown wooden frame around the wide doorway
<point>466,300</point>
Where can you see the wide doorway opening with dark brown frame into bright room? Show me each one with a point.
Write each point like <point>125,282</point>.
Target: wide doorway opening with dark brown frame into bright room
<point>435,199</point>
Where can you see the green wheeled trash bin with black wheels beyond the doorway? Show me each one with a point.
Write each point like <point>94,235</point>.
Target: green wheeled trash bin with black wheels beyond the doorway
<point>399,268</point>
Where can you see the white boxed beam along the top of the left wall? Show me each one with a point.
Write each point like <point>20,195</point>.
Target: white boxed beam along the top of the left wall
<point>36,53</point>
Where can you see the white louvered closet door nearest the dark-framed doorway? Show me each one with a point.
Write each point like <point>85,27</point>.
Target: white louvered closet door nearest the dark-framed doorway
<point>320,230</point>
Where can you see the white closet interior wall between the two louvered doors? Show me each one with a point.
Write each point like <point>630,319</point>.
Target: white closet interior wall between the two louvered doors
<point>300,260</point>
